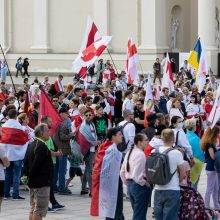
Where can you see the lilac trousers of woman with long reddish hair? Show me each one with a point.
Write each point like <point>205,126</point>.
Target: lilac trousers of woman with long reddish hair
<point>211,189</point>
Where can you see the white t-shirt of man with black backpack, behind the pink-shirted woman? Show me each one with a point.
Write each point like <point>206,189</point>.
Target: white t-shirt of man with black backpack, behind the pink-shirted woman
<point>129,133</point>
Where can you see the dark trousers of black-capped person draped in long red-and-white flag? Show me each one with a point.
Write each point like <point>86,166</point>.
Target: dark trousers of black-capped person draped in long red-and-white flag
<point>119,206</point>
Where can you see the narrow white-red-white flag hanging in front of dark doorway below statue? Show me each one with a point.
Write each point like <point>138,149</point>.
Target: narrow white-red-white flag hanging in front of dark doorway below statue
<point>167,80</point>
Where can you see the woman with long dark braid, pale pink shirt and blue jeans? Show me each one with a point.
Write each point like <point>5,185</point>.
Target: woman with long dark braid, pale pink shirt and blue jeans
<point>133,175</point>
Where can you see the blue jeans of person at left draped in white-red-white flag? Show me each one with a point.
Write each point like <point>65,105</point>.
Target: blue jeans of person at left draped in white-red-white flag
<point>13,172</point>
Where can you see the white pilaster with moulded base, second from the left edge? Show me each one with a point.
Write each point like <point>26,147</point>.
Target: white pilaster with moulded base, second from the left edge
<point>40,41</point>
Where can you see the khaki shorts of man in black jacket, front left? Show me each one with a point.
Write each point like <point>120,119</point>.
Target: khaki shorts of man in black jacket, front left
<point>39,200</point>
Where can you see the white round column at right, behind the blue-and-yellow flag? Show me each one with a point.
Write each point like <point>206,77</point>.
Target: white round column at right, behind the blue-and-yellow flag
<point>206,30</point>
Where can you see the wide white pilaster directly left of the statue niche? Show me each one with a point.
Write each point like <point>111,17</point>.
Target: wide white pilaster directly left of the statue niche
<point>153,28</point>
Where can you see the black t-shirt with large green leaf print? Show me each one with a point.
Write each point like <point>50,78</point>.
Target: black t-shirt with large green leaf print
<point>101,124</point>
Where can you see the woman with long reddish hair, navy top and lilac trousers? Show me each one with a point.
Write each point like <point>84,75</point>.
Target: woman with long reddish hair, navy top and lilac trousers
<point>208,144</point>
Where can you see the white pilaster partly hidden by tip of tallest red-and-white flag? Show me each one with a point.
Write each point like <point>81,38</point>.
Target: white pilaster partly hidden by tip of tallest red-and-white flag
<point>101,15</point>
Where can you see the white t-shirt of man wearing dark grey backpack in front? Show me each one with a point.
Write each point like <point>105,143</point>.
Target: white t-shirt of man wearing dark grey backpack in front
<point>175,159</point>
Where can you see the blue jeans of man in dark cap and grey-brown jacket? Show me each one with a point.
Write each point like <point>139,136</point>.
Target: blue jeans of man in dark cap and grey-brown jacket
<point>62,172</point>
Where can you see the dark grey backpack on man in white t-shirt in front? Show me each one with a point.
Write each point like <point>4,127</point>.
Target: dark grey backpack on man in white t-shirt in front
<point>158,167</point>
